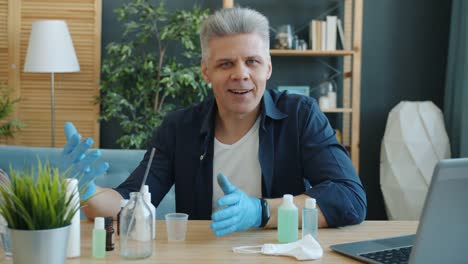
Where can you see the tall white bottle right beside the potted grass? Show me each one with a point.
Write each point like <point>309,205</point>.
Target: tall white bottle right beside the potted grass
<point>74,239</point>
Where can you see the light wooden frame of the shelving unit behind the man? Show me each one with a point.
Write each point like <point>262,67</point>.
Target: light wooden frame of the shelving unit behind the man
<point>351,86</point>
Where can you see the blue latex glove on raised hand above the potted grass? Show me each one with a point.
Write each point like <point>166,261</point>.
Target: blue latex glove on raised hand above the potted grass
<point>74,159</point>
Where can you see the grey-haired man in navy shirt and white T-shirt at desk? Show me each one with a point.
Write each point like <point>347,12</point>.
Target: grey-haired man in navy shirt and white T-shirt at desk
<point>266,143</point>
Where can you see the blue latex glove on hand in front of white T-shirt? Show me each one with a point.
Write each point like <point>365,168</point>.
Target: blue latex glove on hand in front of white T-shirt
<point>240,212</point>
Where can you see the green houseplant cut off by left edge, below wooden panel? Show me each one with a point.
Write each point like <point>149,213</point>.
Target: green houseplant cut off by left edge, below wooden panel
<point>8,126</point>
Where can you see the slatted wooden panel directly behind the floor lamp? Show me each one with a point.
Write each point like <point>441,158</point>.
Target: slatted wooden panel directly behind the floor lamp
<point>74,92</point>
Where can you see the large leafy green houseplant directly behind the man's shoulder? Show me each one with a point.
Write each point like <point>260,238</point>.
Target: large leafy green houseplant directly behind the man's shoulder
<point>141,82</point>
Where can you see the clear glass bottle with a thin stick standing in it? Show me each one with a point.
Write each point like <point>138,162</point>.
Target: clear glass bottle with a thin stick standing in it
<point>136,229</point>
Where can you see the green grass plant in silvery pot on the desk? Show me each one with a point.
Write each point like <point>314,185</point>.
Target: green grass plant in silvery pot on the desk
<point>38,211</point>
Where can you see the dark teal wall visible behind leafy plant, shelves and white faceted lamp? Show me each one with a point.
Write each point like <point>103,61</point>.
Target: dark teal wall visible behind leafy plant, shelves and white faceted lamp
<point>404,58</point>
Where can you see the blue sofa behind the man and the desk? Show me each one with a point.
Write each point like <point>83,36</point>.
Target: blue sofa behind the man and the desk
<point>122,163</point>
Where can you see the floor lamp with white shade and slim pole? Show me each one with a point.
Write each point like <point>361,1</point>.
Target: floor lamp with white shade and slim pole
<point>51,50</point>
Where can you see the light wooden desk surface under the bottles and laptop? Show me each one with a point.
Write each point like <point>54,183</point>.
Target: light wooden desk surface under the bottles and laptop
<point>201,246</point>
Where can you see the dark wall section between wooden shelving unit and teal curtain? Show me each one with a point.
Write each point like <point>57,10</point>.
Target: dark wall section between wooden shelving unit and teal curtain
<point>404,58</point>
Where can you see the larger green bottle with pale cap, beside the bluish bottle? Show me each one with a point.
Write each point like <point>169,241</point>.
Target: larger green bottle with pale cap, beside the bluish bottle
<point>287,220</point>
